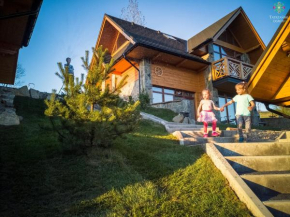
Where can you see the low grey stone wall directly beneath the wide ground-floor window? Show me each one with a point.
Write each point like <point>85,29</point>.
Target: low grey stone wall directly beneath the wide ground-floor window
<point>178,106</point>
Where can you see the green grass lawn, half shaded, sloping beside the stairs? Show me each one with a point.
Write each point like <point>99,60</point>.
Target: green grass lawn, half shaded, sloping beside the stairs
<point>145,174</point>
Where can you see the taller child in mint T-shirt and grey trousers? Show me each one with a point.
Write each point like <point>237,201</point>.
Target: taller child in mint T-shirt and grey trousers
<point>245,104</point>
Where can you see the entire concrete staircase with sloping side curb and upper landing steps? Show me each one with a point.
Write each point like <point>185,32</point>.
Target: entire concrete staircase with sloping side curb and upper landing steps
<point>259,172</point>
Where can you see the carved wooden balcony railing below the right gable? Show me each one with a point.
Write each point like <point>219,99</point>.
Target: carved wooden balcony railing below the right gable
<point>231,67</point>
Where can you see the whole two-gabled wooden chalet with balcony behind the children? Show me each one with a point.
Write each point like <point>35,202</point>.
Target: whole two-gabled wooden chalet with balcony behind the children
<point>174,71</point>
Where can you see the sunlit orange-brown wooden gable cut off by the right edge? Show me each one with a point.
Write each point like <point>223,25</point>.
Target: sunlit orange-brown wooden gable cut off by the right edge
<point>270,80</point>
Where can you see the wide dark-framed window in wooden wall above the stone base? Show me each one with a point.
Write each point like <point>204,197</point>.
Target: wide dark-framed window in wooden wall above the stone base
<point>161,94</point>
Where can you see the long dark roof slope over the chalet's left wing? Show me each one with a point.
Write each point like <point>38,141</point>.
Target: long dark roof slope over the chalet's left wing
<point>153,39</point>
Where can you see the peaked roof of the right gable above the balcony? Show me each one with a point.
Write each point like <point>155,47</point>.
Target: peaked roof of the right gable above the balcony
<point>212,32</point>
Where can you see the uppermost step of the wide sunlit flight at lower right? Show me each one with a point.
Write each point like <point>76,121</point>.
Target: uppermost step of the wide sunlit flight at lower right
<point>254,148</point>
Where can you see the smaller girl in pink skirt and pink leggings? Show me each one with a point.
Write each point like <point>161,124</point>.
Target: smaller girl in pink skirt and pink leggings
<point>206,115</point>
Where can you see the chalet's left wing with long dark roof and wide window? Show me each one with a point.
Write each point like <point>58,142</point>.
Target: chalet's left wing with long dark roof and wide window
<point>166,71</point>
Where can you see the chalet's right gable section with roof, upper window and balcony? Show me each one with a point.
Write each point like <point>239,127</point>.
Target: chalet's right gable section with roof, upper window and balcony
<point>233,47</point>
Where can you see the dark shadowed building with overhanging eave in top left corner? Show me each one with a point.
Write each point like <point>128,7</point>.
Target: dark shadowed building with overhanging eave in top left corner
<point>17,20</point>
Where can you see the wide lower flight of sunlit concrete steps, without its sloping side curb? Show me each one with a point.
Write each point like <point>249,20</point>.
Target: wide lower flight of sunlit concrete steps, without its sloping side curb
<point>265,168</point>
